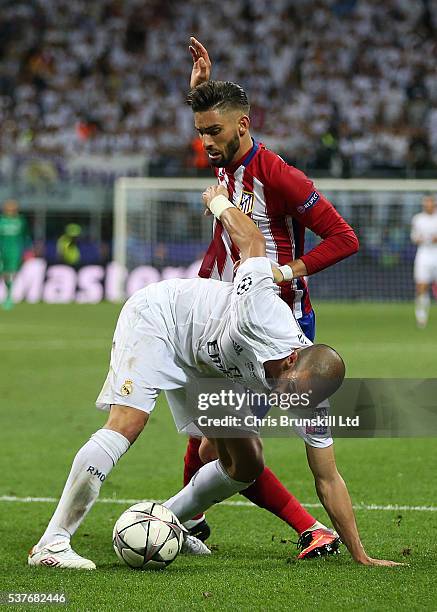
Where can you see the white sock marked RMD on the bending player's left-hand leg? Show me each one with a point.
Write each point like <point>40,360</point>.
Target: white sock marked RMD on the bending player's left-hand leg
<point>90,468</point>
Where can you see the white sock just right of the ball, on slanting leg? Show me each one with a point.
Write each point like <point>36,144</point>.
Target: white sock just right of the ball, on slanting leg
<point>210,485</point>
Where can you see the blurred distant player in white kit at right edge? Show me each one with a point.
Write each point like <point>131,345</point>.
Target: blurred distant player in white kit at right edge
<point>424,234</point>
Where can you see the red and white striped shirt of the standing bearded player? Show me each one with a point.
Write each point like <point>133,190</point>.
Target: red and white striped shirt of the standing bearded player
<point>282,201</point>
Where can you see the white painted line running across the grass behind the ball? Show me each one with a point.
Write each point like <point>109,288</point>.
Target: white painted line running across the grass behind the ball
<point>125,502</point>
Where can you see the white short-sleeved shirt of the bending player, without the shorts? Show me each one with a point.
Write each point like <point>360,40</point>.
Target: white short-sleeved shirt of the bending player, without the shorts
<point>227,329</point>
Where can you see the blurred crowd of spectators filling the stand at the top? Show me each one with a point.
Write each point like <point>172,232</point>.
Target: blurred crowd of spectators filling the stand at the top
<point>345,86</point>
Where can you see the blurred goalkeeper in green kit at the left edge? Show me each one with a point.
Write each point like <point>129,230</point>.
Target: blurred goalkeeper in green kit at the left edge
<point>14,238</point>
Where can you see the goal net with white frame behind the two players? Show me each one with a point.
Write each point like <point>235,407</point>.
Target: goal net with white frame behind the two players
<point>159,227</point>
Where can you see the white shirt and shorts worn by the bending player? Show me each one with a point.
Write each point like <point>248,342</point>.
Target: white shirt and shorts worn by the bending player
<point>172,332</point>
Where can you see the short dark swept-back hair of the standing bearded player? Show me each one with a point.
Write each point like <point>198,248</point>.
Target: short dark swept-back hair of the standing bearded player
<point>218,95</point>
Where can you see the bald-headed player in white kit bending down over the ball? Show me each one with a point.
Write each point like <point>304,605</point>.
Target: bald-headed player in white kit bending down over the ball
<point>169,334</point>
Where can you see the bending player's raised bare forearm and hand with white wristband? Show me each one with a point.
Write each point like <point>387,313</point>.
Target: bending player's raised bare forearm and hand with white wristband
<point>242,230</point>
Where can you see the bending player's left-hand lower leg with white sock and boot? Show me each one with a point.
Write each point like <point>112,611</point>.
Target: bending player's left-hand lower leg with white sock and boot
<point>90,468</point>
